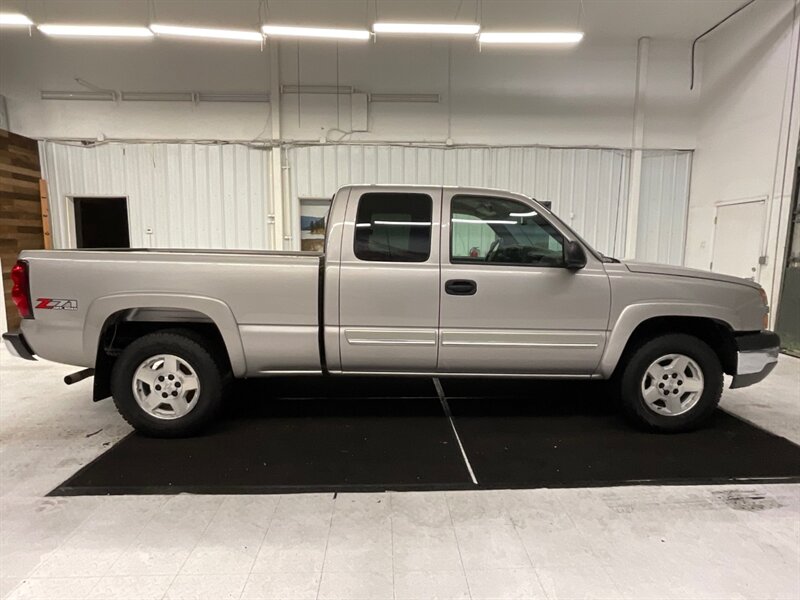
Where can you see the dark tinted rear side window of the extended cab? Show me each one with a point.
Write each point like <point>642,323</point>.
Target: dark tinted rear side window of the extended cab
<point>393,227</point>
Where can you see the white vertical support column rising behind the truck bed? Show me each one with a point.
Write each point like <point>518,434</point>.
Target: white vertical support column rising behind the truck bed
<point>276,209</point>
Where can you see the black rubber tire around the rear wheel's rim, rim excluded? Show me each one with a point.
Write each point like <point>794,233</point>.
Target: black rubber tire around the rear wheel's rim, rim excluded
<point>203,358</point>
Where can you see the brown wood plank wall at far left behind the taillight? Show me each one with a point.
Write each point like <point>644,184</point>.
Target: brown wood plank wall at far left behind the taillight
<point>20,207</point>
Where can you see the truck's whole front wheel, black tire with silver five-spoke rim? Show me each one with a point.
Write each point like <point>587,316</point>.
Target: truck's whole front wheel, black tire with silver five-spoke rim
<point>671,383</point>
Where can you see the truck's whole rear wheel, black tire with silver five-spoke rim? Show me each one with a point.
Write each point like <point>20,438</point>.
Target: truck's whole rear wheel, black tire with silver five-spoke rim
<point>168,384</point>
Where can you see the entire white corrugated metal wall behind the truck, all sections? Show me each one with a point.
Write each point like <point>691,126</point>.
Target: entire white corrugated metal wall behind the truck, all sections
<point>217,196</point>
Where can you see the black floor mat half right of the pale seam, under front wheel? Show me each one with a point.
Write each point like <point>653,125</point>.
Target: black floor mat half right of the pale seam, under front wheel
<point>569,434</point>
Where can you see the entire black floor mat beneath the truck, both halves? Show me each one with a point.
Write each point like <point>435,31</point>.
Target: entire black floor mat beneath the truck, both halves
<point>365,434</point>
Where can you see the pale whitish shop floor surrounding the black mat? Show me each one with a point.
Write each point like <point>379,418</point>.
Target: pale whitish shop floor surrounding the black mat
<point>628,542</point>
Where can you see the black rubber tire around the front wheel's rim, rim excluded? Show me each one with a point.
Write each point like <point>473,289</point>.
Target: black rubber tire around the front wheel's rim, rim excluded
<point>639,360</point>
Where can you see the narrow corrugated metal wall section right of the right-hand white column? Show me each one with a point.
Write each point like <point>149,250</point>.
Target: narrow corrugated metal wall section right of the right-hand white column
<point>663,206</point>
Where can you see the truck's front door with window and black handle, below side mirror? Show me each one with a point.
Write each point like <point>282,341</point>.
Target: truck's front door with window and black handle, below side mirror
<point>508,304</point>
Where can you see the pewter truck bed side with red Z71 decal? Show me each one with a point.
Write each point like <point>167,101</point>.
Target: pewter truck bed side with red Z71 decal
<point>264,303</point>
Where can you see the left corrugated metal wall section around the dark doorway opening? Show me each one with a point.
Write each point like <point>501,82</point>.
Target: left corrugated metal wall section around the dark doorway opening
<point>187,195</point>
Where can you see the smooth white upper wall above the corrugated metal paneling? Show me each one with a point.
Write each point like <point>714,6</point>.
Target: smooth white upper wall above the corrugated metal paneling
<point>569,96</point>
